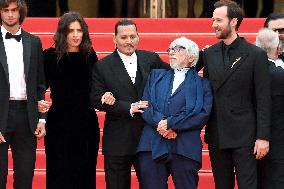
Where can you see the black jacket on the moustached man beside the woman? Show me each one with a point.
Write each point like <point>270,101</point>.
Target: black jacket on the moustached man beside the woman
<point>121,131</point>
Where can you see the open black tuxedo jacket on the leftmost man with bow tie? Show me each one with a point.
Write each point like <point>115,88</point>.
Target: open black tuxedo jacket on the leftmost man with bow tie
<point>34,76</point>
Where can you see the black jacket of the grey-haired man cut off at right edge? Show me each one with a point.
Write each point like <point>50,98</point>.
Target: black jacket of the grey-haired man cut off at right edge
<point>276,147</point>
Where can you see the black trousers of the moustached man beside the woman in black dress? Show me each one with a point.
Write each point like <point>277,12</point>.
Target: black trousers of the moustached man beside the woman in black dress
<point>118,171</point>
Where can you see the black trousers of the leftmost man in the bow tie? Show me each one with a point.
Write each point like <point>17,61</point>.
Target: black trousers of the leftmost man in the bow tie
<point>23,145</point>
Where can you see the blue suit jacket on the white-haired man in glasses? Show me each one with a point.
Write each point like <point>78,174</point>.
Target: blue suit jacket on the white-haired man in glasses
<point>173,107</point>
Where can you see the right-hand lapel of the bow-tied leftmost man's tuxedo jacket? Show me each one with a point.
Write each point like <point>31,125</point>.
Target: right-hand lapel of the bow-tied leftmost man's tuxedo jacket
<point>26,40</point>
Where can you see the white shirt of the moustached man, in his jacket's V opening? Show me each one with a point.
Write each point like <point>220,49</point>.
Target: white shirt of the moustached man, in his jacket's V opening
<point>130,64</point>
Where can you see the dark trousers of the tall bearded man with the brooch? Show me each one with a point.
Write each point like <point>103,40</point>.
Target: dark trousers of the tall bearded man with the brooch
<point>225,161</point>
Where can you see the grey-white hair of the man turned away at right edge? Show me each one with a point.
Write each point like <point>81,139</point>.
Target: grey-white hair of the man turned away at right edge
<point>267,39</point>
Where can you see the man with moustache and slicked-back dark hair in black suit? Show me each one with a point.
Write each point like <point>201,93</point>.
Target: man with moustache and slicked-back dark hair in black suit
<point>117,87</point>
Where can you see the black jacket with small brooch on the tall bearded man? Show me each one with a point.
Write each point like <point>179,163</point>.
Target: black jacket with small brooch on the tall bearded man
<point>242,103</point>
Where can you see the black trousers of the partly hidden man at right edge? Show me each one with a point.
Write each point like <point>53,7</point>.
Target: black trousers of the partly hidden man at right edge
<point>271,174</point>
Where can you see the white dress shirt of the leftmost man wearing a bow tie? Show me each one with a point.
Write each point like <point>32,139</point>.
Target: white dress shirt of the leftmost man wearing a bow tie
<point>15,61</point>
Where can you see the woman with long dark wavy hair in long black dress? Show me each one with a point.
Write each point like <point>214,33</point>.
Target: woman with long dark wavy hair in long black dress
<point>72,125</point>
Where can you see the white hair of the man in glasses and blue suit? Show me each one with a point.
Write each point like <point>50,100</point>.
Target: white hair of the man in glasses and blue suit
<point>190,46</point>
